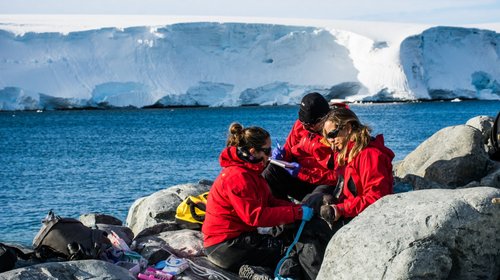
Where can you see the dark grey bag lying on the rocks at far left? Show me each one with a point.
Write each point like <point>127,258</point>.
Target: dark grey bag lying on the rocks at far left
<point>69,239</point>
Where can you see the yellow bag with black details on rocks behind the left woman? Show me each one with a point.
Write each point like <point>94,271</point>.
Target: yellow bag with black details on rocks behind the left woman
<point>191,212</point>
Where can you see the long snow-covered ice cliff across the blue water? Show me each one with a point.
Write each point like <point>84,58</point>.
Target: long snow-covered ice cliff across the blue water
<point>231,64</point>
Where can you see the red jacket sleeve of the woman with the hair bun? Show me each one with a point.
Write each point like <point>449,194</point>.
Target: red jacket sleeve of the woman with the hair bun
<point>253,209</point>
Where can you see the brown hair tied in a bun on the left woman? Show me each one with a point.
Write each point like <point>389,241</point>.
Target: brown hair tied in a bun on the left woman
<point>250,137</point>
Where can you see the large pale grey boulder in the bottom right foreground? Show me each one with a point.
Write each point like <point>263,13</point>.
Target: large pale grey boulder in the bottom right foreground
<point>427,234</point>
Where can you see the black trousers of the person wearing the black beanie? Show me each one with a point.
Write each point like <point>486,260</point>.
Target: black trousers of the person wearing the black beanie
<point>282,184</point>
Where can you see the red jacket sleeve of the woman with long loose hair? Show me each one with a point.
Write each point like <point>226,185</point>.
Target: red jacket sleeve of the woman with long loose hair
<point>375,175</point>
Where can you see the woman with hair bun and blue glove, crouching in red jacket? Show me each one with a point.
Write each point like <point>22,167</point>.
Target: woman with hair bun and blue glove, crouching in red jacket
<point>240,204</point>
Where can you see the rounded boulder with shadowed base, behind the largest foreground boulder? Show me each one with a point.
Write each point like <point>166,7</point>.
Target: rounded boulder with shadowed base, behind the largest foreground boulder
<point>451,158</point>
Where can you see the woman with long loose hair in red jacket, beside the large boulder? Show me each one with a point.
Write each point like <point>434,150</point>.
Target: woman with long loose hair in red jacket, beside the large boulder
<point>363,165</point>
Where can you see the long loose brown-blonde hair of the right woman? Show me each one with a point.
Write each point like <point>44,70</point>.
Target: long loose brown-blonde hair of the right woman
<point>360,134</point>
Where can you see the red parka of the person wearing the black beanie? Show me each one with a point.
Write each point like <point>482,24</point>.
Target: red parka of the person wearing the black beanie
<point>313,153</point>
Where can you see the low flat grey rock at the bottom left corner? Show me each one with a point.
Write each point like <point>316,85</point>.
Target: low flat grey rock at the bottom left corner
<point>74,270</point>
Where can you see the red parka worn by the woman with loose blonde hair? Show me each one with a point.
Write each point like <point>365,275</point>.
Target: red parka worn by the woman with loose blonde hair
<point>366,178</point>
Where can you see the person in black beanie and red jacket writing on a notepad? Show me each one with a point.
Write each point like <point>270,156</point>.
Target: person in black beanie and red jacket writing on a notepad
<point>308,151</point>
